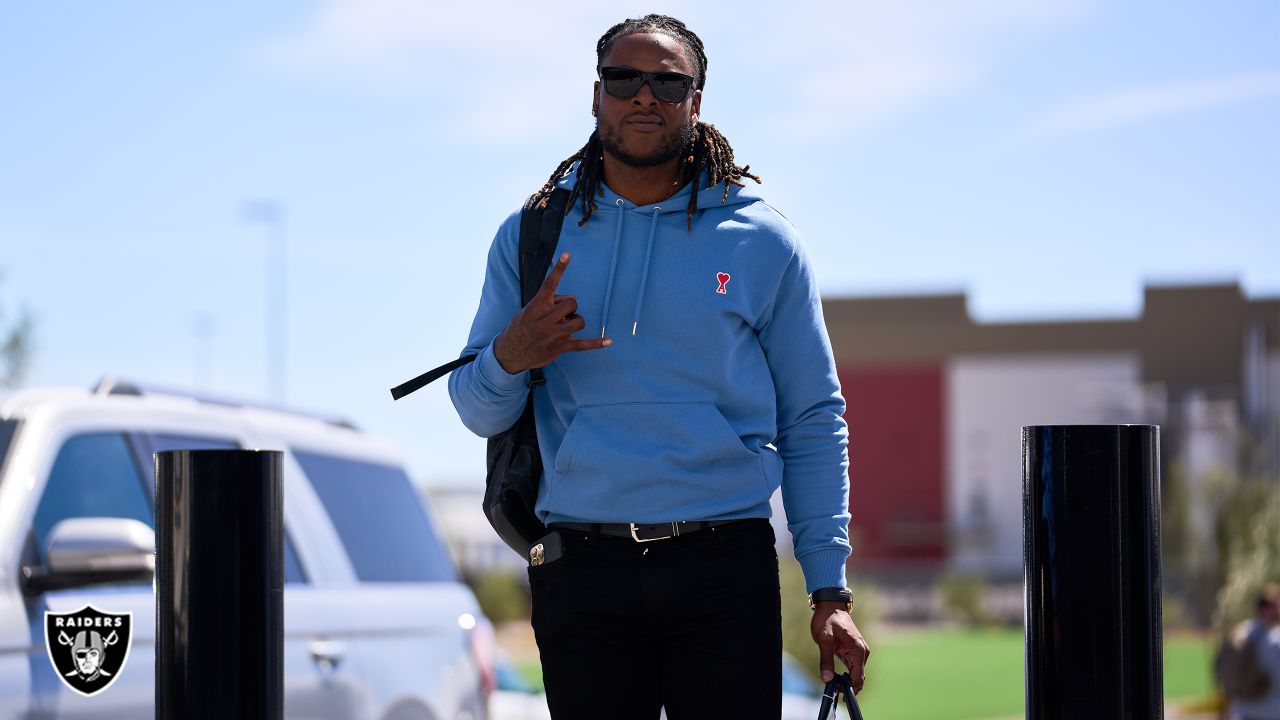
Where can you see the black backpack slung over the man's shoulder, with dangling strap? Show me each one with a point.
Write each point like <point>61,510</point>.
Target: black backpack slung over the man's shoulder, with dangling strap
<point>514,459</point>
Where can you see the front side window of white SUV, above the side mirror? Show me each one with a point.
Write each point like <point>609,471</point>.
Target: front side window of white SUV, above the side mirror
<point>94,476</point>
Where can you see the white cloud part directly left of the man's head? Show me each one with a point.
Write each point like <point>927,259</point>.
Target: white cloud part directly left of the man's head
<point>492,70</point>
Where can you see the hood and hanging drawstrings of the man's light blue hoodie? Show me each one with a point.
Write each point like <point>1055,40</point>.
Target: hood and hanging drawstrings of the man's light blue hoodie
<point>614,204</point>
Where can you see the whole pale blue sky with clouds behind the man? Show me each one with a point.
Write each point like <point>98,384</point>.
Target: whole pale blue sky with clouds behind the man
<point>1048,158</point>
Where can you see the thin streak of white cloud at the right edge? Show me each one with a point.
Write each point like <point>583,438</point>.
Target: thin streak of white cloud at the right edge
<point>1133,107</point>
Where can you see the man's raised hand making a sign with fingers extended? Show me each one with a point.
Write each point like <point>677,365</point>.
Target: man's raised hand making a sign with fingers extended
<point>542,331</point>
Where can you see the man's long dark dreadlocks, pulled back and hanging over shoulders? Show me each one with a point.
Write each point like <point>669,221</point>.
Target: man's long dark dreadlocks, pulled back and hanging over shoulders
<point>708,151</point>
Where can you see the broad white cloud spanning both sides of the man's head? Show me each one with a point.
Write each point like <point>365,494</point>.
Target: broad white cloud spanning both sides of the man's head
<point>502,66</point>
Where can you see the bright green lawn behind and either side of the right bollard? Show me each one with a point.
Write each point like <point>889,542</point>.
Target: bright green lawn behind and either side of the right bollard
<point>961,675</point>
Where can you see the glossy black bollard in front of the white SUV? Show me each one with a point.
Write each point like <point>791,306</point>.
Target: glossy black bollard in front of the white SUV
<point>220,585</point>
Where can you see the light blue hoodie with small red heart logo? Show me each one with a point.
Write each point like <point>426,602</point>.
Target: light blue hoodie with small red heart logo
<point>720,384</point>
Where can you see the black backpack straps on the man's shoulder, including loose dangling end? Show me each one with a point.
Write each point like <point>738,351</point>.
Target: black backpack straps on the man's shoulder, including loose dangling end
<point>540,233</point>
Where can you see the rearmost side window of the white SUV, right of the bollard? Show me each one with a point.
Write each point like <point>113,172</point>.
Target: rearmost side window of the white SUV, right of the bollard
<point>381,520</point>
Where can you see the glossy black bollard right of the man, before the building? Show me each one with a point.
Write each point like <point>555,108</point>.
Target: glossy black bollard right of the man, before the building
<point>1091,554</point>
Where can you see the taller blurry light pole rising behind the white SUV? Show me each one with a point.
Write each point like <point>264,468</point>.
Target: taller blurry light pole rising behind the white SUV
<point>271,215</point>
